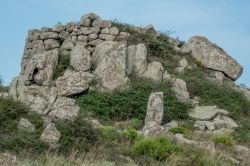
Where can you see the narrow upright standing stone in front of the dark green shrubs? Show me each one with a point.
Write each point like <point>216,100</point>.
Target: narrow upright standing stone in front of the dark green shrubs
<point>154,116</point>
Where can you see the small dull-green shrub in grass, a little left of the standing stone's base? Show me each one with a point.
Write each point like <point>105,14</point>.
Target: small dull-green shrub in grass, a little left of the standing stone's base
<point>109,133</point>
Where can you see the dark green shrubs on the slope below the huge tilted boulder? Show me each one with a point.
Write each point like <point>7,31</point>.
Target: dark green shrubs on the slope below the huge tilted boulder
<point>211,93</point>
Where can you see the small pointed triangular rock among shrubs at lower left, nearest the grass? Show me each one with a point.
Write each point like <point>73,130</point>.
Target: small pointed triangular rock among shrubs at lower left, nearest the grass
<point>50,134</point>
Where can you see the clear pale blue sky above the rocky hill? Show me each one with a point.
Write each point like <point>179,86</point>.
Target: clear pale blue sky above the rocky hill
<point>225,22</point>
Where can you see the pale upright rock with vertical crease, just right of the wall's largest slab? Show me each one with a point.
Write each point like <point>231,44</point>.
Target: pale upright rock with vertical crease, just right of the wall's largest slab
<point>137,59</point>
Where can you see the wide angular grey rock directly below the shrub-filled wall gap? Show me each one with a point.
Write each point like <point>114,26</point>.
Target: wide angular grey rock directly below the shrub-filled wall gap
<point>73,83</point>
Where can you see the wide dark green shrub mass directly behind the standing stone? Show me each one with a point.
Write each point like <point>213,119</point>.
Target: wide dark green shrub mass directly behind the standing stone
<point>131,103</point>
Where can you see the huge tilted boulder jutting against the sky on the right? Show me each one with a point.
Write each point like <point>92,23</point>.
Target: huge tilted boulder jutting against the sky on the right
<point>213,57</point>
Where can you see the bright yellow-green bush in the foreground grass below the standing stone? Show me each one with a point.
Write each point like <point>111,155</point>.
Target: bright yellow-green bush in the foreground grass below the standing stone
<point>157,148</point>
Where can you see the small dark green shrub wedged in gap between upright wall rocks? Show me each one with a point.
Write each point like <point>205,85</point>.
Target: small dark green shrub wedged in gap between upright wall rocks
<point>63,64</point>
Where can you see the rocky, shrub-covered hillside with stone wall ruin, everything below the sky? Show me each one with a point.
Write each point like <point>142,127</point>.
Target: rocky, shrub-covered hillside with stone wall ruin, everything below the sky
<point>105,93</point>
